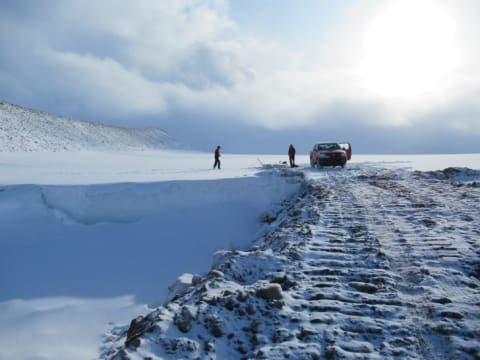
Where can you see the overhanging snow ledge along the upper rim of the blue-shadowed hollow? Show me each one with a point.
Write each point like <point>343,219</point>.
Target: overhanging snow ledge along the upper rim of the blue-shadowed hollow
<point>131,202</point>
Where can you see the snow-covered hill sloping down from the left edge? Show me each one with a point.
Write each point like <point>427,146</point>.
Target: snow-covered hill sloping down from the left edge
<point>23,129</point>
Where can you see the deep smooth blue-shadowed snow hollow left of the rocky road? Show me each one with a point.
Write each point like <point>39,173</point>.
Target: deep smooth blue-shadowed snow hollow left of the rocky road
<point>74,259</point>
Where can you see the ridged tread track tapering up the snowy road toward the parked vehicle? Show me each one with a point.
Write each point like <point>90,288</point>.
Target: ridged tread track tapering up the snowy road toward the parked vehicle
<point>357,304</point>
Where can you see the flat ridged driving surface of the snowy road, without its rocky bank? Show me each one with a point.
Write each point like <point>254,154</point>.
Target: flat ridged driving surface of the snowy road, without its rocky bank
<point>394,262</point>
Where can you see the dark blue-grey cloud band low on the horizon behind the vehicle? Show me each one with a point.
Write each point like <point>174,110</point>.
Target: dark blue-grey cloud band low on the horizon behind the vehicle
<point>235,136</point>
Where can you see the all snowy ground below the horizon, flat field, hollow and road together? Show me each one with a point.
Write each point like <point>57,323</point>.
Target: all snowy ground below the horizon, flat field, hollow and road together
<point>375,260</point>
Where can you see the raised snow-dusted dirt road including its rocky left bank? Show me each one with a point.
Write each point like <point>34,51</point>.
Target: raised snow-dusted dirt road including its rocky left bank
<point>372,263</point>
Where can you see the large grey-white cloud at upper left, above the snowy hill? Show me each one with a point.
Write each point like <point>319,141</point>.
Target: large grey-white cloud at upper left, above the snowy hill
<point>114,57</point>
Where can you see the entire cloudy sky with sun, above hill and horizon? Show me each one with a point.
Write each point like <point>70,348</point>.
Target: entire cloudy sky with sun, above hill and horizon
<point>389,76</point>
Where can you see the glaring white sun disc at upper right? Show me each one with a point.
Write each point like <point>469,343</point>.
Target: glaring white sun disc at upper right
<point>409,48</point>
